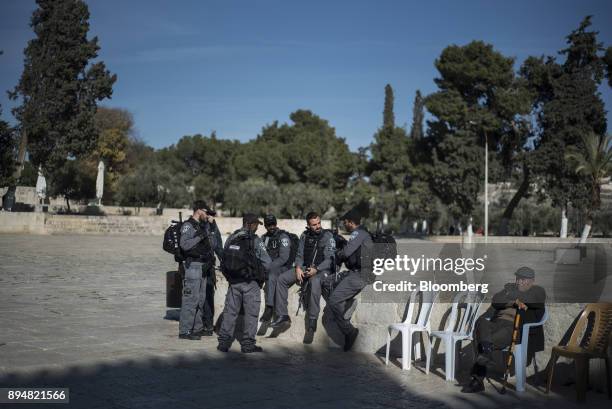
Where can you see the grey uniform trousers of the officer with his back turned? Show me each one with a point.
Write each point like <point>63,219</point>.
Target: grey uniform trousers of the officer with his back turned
<point>246,295</point>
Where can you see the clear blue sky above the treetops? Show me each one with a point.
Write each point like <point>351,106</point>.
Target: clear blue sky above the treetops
<point>234,66</point>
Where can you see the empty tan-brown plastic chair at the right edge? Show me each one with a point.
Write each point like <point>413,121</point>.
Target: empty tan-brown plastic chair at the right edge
<point>589,340</point>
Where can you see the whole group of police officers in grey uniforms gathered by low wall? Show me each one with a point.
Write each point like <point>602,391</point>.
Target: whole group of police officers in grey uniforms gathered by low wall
<point>315,266</point>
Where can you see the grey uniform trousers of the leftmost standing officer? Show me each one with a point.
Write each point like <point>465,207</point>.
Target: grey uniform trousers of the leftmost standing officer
<point>194,296</point>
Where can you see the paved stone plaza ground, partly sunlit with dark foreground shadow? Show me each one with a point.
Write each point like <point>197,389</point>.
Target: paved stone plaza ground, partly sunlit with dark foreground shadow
<point>87,312</point>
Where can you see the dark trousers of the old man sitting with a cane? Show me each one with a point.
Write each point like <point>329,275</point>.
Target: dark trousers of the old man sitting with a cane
<point>498,333</point>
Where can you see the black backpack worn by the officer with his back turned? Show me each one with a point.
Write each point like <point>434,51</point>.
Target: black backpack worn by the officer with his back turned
<point>239,260</point>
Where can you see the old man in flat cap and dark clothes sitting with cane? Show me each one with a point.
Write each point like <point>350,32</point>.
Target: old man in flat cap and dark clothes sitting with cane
<point>496,333</point>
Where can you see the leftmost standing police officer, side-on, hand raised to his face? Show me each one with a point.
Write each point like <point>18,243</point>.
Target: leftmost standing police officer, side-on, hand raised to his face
<point>199,258</point>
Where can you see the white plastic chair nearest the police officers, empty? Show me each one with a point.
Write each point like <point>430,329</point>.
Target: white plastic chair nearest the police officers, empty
<point>408,329</point>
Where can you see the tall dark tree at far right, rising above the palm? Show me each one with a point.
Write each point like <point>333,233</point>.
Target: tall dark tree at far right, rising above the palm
<point>568,105</point>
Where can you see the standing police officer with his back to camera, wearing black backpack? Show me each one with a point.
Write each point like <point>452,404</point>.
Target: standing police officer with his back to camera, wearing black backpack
<point>243,249</point>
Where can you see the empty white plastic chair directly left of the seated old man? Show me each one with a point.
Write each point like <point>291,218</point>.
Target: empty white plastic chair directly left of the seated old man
<point>453,333</point>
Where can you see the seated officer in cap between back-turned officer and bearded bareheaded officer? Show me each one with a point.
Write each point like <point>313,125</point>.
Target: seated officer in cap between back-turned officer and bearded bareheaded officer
<point>278,245</point>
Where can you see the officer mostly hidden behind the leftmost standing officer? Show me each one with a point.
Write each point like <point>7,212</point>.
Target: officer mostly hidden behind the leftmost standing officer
<point>214,235</point>
